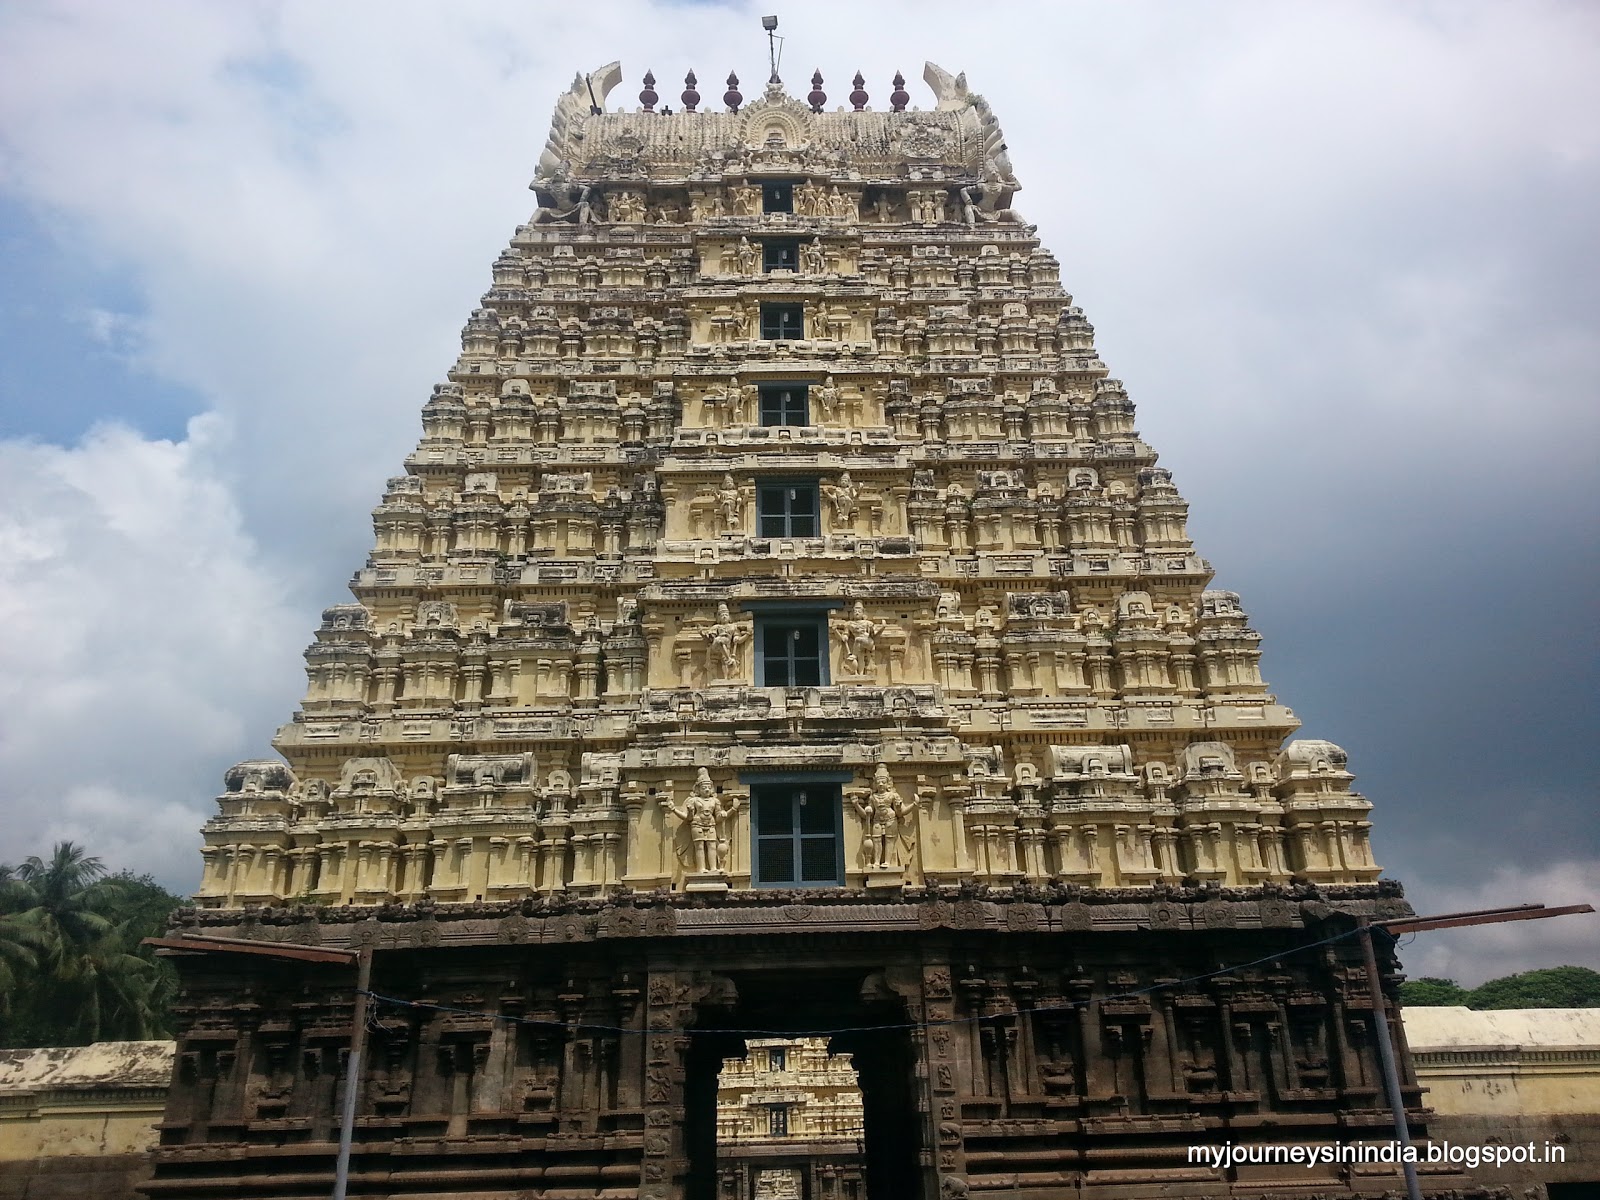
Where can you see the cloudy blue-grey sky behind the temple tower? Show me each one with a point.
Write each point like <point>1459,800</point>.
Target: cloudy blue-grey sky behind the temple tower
<point>1343,255</point>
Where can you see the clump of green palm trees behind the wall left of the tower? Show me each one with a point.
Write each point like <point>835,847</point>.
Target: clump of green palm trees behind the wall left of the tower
<point>70,943</point>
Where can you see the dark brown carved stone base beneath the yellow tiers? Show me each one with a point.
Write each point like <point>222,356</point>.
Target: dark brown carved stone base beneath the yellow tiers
<point>1039,1044</point>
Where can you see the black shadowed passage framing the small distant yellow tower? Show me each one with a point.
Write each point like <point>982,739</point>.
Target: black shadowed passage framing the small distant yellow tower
<point>882,1054</point>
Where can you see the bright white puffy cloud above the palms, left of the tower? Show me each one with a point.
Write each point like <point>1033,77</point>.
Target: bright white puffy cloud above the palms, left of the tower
<point>145,646</point>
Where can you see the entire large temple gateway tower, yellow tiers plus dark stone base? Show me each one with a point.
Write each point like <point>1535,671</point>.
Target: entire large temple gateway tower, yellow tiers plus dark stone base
<point>783,633</point>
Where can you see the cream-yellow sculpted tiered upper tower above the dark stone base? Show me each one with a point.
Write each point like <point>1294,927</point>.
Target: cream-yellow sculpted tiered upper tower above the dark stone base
<point>777,452</point>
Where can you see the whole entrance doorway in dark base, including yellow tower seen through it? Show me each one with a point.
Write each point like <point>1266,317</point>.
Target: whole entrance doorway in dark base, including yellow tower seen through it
<point>804,1094</point>
